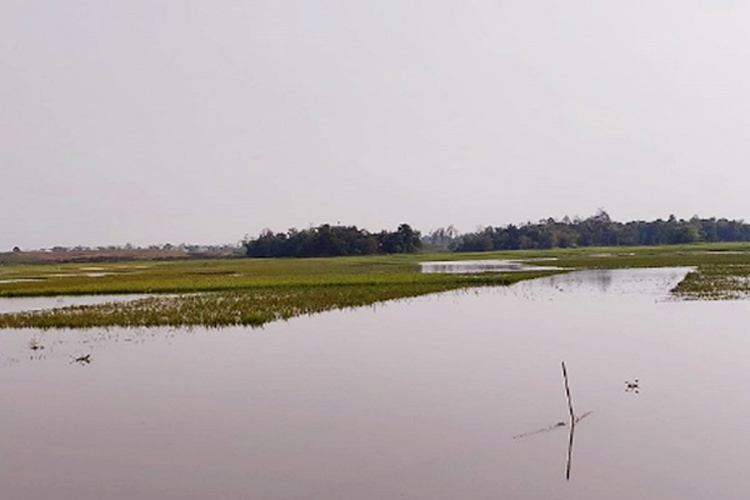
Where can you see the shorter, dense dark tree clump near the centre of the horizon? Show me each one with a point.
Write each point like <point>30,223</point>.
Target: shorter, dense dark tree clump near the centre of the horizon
<point>328,241</point>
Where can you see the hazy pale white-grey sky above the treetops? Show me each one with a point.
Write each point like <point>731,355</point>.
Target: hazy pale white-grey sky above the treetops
<point>148,121</point>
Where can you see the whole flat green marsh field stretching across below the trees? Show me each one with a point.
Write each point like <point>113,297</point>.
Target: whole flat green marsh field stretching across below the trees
<point>256,291</point>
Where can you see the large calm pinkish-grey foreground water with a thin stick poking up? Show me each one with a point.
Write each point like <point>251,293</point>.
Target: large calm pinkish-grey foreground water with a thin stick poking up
<point>456,395</point>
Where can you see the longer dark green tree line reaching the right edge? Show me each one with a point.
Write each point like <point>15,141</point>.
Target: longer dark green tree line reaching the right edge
<point>600,230</point>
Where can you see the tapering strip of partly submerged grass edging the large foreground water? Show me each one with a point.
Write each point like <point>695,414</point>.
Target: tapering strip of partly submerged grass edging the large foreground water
<point>248,307</point>
